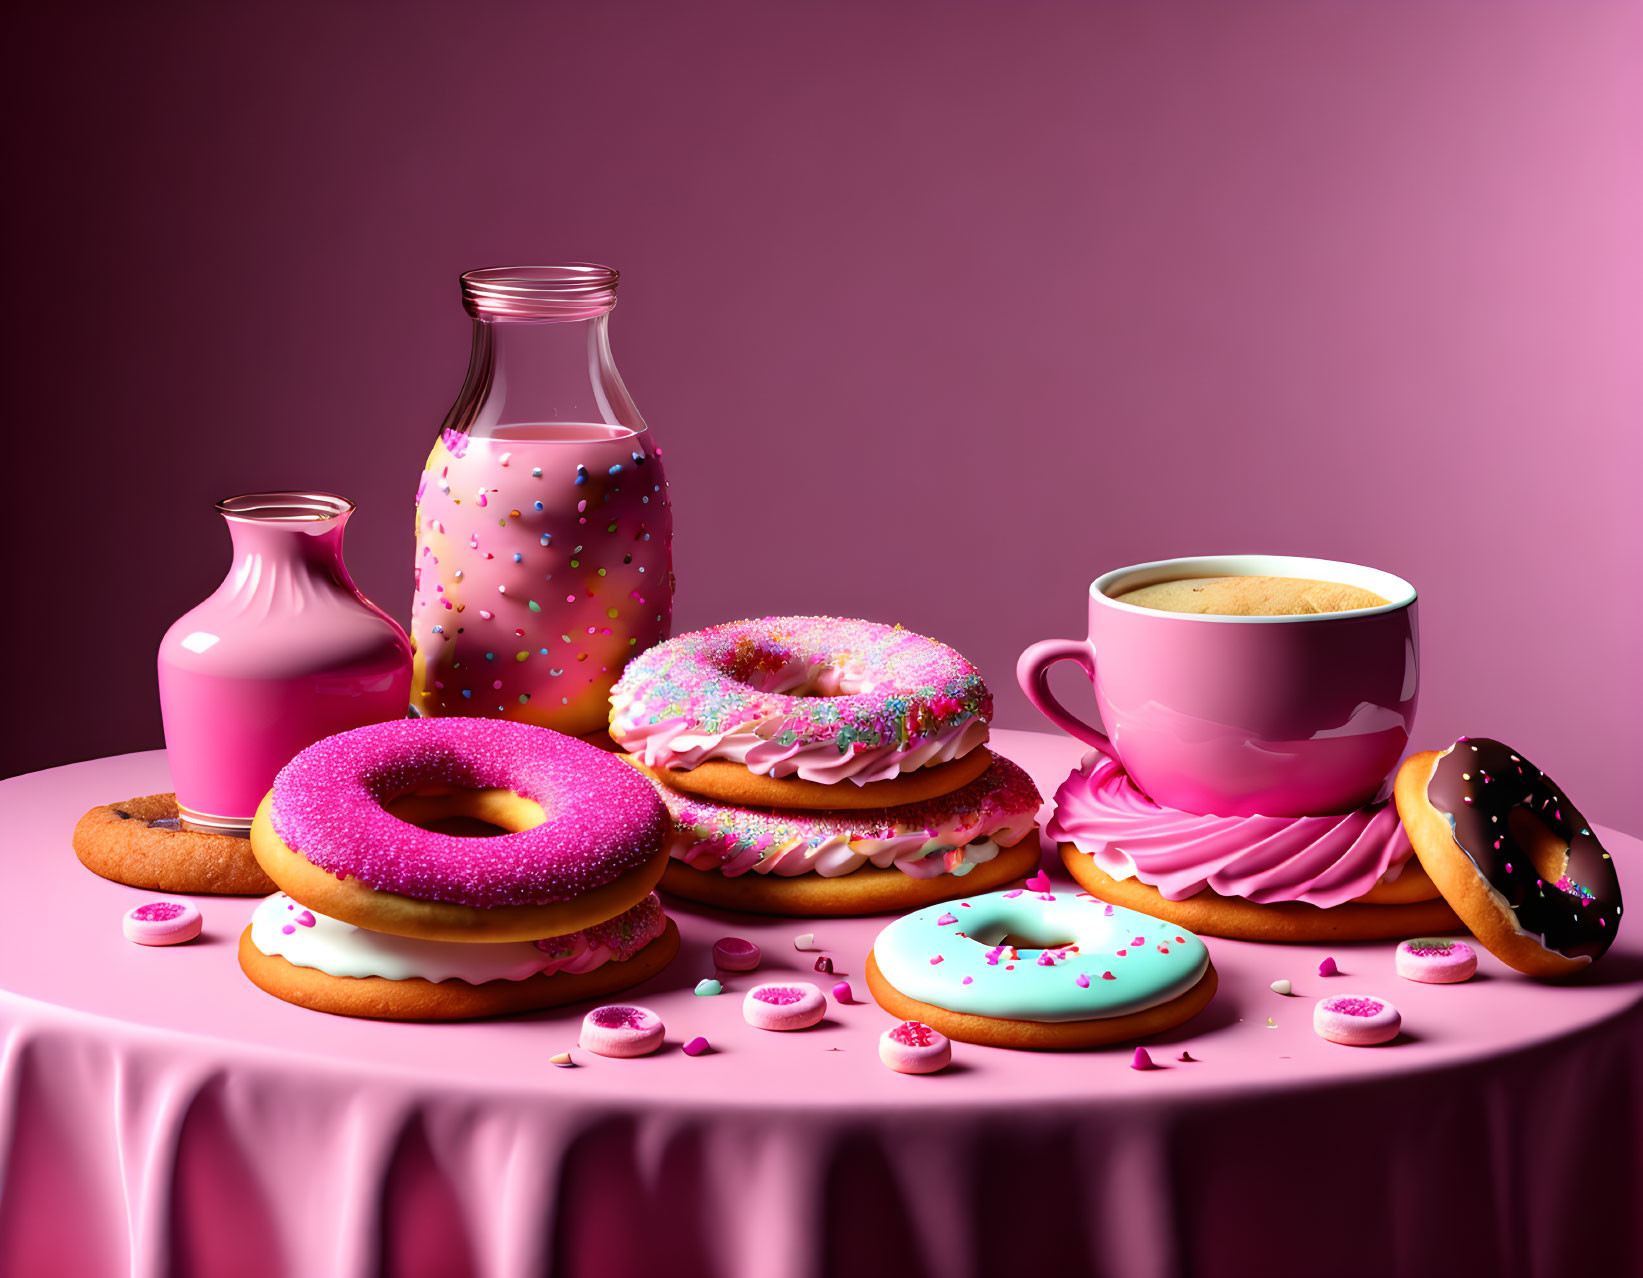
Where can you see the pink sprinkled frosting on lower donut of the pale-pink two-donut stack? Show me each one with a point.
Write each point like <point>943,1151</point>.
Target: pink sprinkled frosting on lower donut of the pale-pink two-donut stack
<point>923,840</point>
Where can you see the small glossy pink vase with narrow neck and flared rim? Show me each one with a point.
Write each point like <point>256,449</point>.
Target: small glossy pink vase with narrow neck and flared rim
<point>285,653</point>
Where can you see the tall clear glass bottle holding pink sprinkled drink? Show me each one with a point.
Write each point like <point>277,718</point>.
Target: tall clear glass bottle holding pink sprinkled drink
<point>545,533</point>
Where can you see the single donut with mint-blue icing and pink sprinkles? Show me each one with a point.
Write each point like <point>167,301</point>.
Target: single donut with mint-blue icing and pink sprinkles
<point>1039,970</point>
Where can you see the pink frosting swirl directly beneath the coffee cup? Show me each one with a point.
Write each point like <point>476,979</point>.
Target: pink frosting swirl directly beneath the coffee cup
<point>1323,862</point>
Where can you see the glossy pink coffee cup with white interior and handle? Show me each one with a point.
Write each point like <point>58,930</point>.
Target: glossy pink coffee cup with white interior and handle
<point>1245,715</point>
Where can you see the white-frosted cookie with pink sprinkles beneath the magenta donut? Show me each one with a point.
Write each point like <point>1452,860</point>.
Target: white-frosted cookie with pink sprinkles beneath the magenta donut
<point>464,981</point>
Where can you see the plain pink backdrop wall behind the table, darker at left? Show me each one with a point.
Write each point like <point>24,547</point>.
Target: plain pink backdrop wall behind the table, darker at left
<point>936,310</point>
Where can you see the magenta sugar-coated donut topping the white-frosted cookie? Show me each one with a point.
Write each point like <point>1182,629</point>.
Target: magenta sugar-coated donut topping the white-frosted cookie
<point>346,830</point>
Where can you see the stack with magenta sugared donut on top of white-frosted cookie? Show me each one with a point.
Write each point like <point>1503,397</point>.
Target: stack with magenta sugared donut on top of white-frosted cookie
<point>441,870</point>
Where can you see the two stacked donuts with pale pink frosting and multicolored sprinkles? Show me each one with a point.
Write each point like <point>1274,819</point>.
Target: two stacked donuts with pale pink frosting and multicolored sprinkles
<point>824,768</point>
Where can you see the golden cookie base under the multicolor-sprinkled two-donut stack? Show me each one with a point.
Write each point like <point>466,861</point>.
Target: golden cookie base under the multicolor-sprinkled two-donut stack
<point>865,891</point>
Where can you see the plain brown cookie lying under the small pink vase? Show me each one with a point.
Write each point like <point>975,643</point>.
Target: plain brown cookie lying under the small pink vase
<point>142,844</point>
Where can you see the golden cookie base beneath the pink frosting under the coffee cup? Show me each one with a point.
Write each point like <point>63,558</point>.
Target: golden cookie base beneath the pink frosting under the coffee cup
<point>1245,921</point>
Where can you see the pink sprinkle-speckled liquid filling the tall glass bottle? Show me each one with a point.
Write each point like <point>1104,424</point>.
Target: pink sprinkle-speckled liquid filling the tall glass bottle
<point>543,566</point>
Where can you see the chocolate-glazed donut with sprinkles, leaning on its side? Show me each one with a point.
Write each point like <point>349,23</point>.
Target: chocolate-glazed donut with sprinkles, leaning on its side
<point>1512,855</point>
